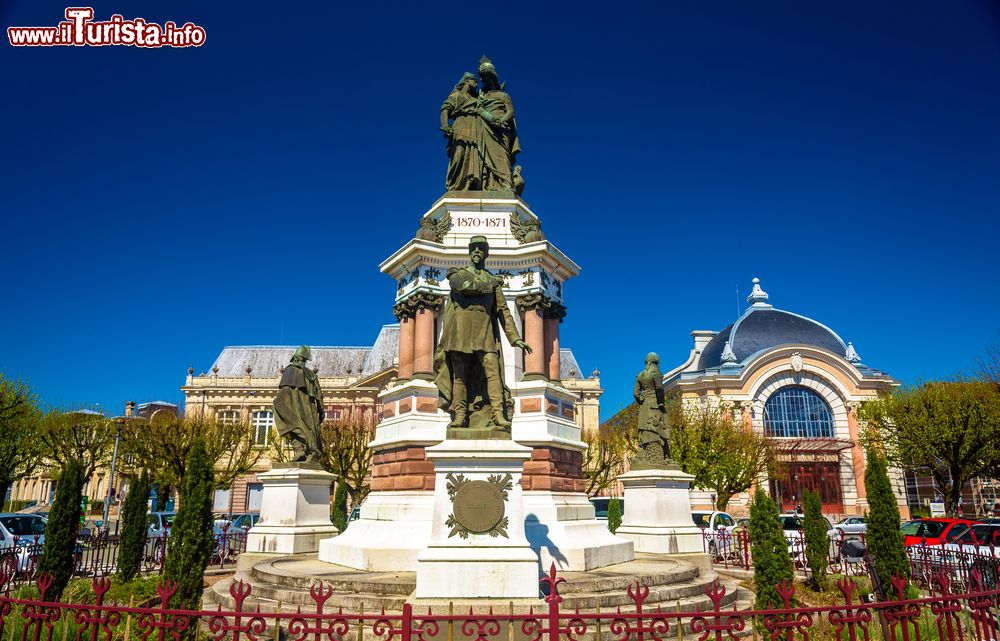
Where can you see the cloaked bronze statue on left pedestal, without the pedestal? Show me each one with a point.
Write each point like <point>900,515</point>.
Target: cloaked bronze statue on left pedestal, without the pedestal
<point>298,408</point>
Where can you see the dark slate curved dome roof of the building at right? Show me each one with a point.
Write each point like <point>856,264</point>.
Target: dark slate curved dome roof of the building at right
<point>765,328</point>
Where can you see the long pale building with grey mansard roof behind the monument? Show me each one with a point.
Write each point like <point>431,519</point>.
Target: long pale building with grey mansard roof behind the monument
<point>242,382</point>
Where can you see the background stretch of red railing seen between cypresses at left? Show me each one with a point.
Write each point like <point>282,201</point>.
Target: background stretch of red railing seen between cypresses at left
<point>97,555</point>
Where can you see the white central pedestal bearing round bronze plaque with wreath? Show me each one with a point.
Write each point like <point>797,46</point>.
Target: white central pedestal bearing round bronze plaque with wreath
<point>477,547</point>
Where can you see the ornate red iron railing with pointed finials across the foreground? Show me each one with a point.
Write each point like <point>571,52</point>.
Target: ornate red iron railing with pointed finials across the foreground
<point>944,615</point>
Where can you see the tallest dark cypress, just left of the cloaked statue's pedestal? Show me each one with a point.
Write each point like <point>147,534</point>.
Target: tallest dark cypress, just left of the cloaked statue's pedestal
<point>191,540</point>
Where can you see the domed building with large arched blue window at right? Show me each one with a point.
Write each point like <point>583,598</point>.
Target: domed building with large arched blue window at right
<point>796,381</point>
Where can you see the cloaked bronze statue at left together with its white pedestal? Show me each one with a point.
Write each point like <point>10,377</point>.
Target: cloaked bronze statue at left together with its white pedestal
<point>295,505</point>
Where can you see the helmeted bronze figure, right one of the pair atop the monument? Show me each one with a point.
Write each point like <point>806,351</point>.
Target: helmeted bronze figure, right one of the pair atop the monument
<point>500,144</point>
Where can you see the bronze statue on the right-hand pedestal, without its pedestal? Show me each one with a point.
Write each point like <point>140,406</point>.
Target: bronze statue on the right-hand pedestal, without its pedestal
<point>654,434</point>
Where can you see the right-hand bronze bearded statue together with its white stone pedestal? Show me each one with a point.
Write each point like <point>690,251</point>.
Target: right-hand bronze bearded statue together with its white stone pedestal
<point>657,493</point>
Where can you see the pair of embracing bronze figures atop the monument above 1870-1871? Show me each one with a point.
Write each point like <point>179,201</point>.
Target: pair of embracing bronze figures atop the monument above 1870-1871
<point>482,135</point>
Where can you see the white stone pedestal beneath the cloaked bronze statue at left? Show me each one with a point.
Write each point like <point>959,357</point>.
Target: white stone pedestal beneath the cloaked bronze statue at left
<point>294,511</point>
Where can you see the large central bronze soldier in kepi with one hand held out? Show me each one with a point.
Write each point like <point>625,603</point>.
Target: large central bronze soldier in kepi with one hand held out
<point>469,360</point>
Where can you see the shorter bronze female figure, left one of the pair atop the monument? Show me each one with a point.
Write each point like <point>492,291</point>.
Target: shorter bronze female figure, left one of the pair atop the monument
<point>464,134</point>
